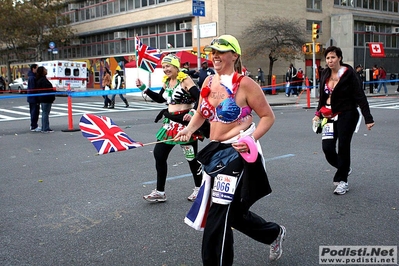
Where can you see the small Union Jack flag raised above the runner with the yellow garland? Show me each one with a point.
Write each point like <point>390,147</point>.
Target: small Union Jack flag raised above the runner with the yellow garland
<point>147,57</point>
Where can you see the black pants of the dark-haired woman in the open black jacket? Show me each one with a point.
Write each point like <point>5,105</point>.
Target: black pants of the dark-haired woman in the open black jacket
<point>343,132</point>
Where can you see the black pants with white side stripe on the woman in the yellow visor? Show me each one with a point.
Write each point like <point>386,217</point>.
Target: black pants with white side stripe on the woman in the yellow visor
<point>217,242</point>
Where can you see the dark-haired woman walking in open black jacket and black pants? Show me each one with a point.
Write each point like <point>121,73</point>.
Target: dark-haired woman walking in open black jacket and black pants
<point>340,94</point>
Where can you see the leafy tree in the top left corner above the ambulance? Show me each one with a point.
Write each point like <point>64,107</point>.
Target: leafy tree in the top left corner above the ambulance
<point>27,26</point>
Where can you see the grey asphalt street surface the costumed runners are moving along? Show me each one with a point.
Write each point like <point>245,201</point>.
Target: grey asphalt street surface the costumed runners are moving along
<point>60,204</point>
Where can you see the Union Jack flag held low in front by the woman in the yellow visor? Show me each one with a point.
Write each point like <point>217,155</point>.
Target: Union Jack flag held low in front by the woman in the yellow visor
<point>105,135</point>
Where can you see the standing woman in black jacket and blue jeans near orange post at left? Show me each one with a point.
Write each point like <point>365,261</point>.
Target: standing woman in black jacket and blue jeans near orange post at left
<point>44,86</point>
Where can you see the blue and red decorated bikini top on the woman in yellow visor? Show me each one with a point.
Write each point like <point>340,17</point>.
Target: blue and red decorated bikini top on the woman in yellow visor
<point>227,111</point>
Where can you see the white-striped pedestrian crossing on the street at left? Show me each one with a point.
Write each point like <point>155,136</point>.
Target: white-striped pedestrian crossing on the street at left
<point>61,109</point>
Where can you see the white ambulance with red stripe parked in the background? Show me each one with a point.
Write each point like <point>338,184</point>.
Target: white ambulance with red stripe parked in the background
<point>64,73</point>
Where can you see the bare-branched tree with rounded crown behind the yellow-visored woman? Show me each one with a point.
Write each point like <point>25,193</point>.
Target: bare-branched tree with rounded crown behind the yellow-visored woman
<point>274,38</point>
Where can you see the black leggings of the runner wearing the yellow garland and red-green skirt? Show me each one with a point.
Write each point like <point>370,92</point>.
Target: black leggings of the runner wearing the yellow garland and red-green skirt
<point>161,153</point>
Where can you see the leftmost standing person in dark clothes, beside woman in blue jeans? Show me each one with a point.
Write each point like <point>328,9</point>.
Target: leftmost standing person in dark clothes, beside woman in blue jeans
<point>34,104</point>
